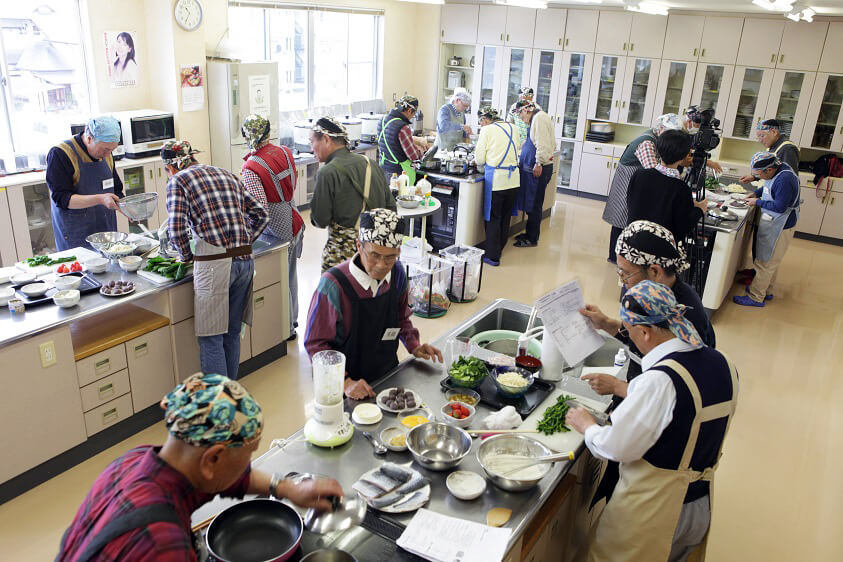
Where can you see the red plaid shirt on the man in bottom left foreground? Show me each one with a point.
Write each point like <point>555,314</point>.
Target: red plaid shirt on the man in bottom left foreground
<point>137,479</point>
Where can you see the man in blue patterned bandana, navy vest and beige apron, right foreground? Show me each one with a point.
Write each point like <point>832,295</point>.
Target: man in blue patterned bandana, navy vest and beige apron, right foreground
<point>667,435</point>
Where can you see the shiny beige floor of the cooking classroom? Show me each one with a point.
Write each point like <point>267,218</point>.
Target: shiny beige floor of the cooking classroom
<point>778,490</point>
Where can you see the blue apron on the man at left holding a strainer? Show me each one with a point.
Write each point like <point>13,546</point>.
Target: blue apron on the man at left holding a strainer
<point>72,226</point>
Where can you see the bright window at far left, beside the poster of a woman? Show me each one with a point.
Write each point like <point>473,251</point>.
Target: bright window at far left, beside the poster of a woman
<point>44,83</point>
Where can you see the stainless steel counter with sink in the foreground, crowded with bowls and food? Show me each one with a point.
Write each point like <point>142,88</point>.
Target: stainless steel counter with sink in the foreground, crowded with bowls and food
<point>348,462</point>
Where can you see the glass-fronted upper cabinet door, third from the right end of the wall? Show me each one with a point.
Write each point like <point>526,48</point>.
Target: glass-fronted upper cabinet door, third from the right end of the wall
<point>747,102</point>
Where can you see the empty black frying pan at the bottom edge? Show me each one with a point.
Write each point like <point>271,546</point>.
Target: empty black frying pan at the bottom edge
<point>256,530</point>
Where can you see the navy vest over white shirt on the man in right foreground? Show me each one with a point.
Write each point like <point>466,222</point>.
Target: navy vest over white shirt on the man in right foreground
<point>711,373</point>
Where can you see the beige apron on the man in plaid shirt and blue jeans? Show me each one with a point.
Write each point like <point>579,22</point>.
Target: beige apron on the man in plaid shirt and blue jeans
<point>211,281</point>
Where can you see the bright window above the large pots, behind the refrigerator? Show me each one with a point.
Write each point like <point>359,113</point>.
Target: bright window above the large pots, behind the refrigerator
<point>325,57</point>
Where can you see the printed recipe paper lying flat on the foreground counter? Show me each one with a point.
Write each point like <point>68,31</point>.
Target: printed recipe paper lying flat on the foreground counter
<point>448,539</point>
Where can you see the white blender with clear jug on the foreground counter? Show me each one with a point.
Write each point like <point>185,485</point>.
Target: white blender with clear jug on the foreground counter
<point>330,425</point>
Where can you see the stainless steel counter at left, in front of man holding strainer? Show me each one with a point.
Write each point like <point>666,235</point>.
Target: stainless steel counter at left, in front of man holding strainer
<point>48,316</point>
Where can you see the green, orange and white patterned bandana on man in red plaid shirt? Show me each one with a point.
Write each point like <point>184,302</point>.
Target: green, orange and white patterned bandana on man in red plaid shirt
<point>208,410</point>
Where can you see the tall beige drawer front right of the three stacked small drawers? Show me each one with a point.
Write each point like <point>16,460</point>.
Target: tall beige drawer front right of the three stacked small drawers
<point>150,359</point>
